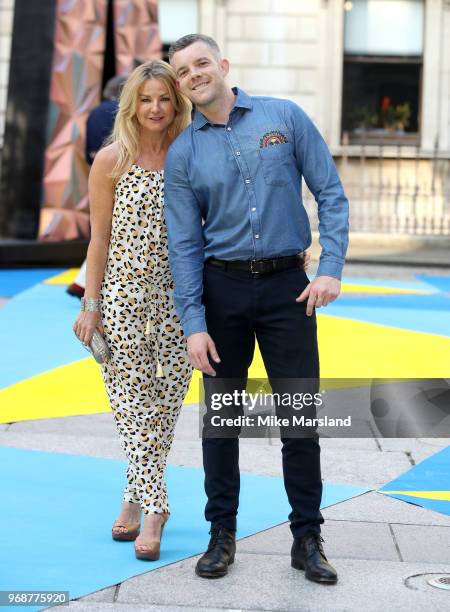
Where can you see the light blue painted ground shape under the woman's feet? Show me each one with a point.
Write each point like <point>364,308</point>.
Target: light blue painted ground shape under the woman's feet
<point>52,543</point>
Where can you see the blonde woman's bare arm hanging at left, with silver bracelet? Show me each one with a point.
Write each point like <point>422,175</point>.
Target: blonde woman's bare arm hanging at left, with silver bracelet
<point>101,202</point>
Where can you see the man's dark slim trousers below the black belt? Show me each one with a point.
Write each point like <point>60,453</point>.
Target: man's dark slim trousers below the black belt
<point>240,307</point>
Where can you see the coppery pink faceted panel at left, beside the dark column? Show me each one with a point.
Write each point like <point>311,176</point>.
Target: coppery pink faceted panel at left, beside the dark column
<point>79,45</point>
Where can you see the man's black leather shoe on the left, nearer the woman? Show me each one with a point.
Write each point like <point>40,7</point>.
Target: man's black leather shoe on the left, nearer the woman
<point>220,554</point>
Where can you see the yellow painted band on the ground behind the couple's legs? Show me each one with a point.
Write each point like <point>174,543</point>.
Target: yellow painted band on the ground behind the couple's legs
<point>349,349</point>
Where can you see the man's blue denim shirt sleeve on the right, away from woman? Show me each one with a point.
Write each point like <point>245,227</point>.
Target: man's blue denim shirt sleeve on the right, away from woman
<point>317,166</point>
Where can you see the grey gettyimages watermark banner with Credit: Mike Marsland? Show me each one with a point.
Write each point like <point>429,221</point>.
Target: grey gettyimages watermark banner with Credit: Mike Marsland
<point>338,408</point>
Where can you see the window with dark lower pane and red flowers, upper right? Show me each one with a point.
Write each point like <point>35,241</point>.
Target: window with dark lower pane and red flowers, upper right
<point>383,53</point>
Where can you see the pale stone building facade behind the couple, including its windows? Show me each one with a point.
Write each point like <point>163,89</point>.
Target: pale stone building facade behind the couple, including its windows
<point>398,180</point>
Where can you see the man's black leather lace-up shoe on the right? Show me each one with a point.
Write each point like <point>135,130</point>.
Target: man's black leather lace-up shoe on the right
<point>307,554</point>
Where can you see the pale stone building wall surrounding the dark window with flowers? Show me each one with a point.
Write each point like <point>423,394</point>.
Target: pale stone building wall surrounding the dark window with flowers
<point>296,49</point>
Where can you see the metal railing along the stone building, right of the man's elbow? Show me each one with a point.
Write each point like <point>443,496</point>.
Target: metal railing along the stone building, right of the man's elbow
<point>394,188</point>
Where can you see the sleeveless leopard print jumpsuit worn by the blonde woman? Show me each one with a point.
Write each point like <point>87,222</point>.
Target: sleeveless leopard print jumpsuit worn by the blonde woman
<point>148,375</point>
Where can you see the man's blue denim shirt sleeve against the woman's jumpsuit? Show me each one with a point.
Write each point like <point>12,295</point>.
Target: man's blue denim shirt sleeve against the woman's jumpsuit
<point>185,240</point>
